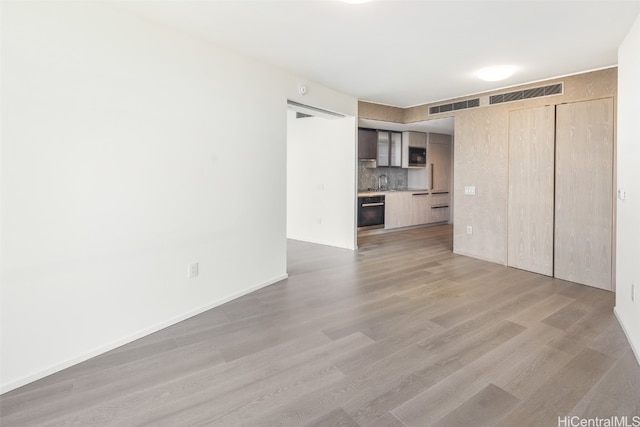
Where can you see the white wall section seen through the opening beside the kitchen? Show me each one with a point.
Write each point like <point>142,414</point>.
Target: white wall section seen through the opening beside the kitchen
<point>321,180</point>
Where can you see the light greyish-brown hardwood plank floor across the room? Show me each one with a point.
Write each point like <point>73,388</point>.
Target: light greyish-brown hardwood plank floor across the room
<point>402,332</point>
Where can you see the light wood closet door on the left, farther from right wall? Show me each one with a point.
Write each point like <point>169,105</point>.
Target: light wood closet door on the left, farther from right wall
<point>531,189</point>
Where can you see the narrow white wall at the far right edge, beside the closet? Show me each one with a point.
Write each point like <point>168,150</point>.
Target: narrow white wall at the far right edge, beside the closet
<point>628,234</point>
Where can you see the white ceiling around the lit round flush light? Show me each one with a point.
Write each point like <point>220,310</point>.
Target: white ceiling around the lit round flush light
<point>406,53</point>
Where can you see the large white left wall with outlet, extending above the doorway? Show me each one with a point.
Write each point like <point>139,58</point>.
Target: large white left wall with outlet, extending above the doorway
<point>120,165</point>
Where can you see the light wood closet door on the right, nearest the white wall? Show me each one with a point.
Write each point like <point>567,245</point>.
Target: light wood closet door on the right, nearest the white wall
<point>584,193</point>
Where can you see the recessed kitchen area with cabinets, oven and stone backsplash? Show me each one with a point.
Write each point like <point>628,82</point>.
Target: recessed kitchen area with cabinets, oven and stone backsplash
<point>404,176</point>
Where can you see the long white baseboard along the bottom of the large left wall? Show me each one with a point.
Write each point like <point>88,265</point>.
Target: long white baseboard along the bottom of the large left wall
<point>4,388</point>
